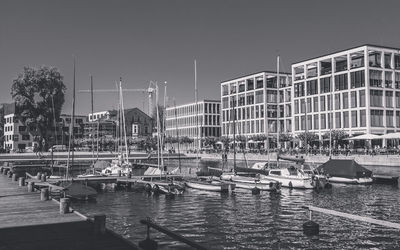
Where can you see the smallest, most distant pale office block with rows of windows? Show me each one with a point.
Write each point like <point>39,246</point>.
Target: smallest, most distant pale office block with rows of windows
<point>186,121</point>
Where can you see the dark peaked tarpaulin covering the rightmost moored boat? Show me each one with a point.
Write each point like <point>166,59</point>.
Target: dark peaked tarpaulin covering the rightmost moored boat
<point>344,168</point>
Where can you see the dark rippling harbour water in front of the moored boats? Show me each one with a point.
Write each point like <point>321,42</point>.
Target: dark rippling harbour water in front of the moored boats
<point>265,221</point>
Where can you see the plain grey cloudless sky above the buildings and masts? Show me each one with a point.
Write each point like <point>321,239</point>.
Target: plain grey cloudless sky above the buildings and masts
<point>150,40</point>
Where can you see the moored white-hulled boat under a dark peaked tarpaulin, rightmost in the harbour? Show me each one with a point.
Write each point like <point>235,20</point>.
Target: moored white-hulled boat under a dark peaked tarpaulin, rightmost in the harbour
<point>346,171</point>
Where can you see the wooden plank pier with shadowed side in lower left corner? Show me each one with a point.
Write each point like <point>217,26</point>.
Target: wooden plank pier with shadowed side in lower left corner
<point>27,222</point>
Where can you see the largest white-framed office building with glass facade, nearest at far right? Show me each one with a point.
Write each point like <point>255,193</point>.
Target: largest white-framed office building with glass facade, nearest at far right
<point>356,90</point>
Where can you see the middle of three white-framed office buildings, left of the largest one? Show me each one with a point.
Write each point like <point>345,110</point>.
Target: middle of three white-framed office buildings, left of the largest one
<point>259,101</point>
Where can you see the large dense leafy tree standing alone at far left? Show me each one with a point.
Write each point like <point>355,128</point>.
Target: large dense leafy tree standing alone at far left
<point>35,91</point>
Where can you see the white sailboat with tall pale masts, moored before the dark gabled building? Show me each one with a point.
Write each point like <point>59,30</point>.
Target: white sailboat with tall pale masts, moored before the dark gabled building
<point>121,165</point>
